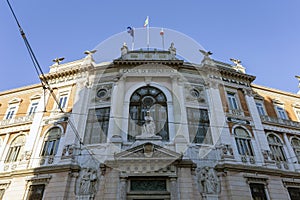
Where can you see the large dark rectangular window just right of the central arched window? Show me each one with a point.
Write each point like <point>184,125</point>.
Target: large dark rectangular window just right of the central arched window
<point>198,125</point>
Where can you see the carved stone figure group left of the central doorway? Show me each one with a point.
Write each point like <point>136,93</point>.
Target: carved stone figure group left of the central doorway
<point>88,182</point>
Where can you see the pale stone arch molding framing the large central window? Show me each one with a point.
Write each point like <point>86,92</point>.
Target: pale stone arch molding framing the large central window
<point>169,101</point>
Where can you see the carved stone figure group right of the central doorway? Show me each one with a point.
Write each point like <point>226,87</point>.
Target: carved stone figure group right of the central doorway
<point>208,181</point>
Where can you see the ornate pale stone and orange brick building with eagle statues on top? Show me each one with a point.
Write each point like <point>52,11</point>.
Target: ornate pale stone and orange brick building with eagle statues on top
<point>149,125</point>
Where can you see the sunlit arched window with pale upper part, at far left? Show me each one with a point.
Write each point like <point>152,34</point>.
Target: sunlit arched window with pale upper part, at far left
<point>16,149</point>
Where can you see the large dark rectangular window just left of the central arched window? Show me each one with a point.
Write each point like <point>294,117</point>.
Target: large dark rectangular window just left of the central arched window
<point>97,126</point>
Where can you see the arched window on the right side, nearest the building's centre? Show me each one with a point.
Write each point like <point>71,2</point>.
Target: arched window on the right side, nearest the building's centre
<point>243,142</point>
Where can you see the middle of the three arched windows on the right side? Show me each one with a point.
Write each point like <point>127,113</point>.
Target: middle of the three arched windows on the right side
<point>276,148</point>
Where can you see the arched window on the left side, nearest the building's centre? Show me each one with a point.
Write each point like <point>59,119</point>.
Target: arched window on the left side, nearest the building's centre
<point>51,142</point>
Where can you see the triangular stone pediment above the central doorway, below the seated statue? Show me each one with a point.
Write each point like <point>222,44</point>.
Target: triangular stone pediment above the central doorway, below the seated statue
<point>147,151</point>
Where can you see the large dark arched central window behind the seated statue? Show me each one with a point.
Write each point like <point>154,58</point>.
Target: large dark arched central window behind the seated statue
<point>145,99</point>
